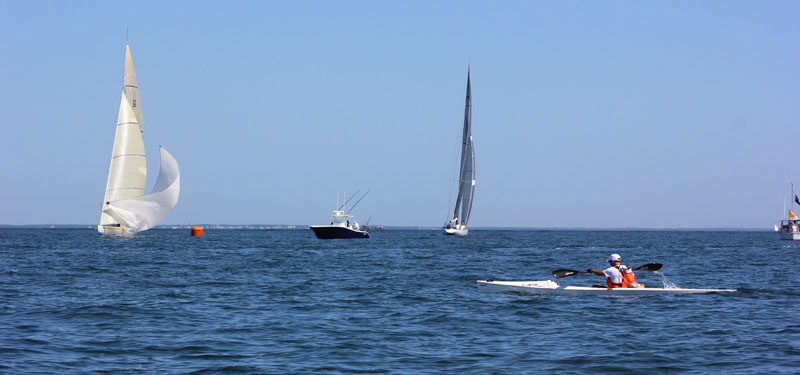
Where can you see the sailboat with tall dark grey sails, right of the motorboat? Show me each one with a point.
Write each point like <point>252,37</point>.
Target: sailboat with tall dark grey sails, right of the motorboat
<point>466,180</point>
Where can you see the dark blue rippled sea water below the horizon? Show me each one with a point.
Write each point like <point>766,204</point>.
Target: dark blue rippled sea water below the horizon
<point>402,302</point>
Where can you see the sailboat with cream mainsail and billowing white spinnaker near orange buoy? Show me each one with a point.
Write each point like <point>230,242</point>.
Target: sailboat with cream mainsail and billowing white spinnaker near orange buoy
<point>126,209</point>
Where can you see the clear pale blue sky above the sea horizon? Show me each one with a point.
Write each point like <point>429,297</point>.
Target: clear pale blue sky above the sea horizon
<point>613,114</point>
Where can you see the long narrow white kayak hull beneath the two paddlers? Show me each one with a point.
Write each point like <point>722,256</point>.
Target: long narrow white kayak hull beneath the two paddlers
<point>552,287</point>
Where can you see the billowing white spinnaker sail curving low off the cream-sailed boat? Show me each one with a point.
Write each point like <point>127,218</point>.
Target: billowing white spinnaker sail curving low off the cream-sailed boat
<point>142,213</point>
